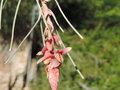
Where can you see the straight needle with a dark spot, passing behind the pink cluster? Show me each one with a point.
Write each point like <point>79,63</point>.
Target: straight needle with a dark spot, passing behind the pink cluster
<point>71,58</point>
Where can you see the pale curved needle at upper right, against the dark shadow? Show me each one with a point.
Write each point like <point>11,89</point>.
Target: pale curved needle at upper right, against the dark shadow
<point>68,20</point>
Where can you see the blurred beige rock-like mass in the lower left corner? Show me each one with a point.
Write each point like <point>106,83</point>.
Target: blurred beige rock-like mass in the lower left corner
<point>12,76</point>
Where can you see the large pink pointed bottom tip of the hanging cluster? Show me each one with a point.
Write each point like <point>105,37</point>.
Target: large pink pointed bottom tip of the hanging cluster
<point>53,77</point>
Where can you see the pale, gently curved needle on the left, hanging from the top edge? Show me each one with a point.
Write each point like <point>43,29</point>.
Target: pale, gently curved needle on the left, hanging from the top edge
<point>13,26</point>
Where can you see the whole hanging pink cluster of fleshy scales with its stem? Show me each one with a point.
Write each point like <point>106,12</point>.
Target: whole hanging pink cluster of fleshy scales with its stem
<point>52,57</point>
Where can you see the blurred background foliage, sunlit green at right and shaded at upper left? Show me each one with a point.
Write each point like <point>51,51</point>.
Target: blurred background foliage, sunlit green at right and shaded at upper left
<point>97,55</point>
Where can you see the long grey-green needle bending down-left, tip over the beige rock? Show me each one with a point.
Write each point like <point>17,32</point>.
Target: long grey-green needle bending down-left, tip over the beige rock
<point>10,58</point>
